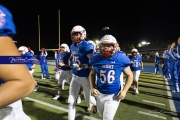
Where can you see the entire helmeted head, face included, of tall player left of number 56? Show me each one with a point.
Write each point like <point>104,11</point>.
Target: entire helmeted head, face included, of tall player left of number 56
<point>78,33</point>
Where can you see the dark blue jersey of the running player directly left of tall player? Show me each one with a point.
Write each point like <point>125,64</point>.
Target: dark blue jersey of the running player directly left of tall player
<point>63,57</point>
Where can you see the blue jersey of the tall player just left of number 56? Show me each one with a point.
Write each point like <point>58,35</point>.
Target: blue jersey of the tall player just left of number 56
<point>79,53</point>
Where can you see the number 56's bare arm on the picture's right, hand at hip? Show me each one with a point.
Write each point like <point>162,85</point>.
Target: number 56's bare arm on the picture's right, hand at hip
<point>129,79</point>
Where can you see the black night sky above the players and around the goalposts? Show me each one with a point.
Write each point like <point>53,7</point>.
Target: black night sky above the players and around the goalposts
<point>129,21</point>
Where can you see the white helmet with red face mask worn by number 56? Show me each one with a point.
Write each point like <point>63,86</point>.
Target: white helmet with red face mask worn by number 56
<point>108,40</point>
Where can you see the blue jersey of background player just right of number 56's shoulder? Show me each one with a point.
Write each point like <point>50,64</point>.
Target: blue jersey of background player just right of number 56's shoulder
<point>135,62</point>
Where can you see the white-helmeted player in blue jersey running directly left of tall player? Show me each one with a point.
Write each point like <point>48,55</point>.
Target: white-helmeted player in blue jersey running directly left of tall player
<point>64,71</point>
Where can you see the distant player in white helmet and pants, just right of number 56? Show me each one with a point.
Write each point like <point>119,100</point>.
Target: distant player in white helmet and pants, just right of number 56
<point>136,66</point>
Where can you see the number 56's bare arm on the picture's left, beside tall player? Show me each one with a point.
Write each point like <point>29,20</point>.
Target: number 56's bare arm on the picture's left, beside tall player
<point>92,80</point>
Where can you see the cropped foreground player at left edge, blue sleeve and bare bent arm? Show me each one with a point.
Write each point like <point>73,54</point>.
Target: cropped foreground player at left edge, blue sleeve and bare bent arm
<point>16,82</point>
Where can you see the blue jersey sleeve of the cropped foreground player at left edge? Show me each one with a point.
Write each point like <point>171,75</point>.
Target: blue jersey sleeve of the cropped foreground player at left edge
<point>7,27</point>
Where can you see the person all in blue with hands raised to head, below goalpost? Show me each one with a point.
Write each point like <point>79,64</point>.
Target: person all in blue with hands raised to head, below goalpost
<point>43,63</point>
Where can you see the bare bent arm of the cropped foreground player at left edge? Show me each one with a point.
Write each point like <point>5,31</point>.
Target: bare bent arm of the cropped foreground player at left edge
<point>18,82</point>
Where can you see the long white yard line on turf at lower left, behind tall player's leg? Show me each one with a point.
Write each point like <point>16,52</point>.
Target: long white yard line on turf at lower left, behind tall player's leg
<point>60,108</point>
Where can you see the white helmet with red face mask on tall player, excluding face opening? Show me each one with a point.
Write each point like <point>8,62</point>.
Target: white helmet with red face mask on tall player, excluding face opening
<point>79,29</point>
